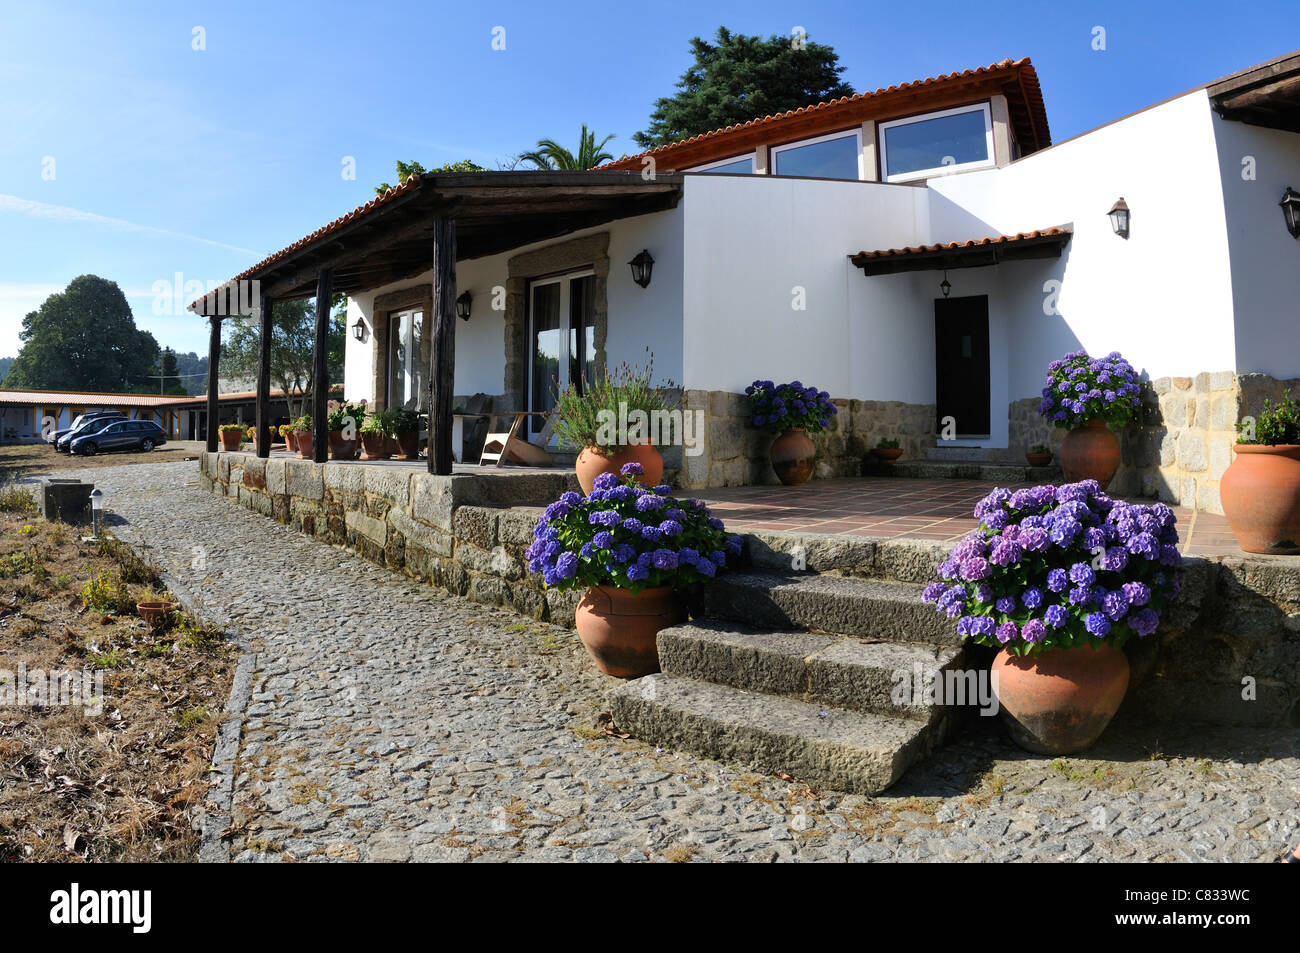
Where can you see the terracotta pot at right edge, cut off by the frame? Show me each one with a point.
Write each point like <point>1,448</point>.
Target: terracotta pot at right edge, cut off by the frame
<point>1262,499</point>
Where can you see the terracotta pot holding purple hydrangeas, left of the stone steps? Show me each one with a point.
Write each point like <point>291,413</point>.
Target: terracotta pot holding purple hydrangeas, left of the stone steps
<point>619,630</point>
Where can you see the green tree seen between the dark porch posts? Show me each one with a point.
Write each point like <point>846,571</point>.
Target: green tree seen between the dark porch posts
<point>293,339</point>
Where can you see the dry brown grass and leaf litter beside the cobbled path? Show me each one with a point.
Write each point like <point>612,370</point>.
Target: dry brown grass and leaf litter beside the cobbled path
<point>124,785</point>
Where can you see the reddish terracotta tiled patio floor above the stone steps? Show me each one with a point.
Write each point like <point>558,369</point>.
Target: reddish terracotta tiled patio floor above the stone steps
<point>887,508</point>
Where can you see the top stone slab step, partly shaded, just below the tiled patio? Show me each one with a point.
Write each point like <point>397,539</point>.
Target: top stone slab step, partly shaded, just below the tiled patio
<point>863,608</point>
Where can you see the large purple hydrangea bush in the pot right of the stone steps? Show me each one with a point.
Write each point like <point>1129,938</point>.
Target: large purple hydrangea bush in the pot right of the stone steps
<point>1060,566</point>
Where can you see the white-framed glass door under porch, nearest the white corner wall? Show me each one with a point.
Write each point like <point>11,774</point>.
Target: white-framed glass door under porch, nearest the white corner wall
<point>562,340</point>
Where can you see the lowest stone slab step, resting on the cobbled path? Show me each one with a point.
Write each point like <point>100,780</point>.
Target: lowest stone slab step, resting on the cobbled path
<point>848,751</point>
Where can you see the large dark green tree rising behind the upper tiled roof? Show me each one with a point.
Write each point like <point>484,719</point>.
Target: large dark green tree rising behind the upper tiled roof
<point>739,79</point>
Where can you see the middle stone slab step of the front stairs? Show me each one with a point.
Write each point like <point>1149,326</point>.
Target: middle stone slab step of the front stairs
<point>818,669</point>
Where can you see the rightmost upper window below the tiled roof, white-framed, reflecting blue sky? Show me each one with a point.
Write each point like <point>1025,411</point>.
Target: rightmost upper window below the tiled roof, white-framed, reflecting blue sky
<point>937,144</point>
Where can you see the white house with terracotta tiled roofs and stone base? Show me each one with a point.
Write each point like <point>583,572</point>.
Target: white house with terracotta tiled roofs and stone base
<point>921,253</point>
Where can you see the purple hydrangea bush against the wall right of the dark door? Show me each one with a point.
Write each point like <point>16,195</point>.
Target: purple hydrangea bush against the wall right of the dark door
<point>1081,389</point>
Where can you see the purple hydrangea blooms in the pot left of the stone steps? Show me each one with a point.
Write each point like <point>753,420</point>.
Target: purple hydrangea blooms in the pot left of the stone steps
<point>627,536</point>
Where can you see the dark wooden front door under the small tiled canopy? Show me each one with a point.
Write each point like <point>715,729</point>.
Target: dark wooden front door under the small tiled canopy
<point>961,365</point>
